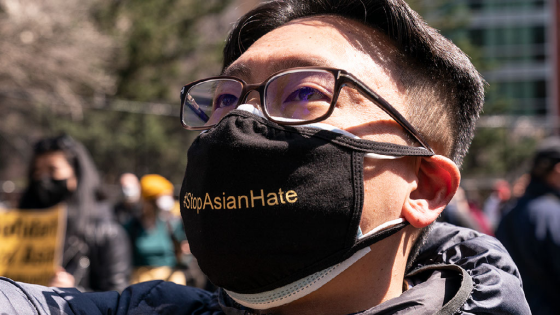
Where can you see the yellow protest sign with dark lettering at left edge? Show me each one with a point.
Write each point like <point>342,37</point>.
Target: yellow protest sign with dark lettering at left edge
<point>31,243</point>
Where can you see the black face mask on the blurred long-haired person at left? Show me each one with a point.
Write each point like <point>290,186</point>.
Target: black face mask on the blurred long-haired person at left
<point>48,191</point>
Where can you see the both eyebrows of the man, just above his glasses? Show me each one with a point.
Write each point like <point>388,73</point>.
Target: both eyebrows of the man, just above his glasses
<point>241,70</point>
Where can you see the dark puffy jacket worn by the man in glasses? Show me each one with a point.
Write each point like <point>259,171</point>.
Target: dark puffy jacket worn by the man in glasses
<point>457,271</point>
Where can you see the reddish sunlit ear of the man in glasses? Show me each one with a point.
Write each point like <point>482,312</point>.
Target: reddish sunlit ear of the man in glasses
<point>438,178</point>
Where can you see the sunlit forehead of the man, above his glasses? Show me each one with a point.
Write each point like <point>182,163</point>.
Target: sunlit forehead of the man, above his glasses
<point>326,41</point>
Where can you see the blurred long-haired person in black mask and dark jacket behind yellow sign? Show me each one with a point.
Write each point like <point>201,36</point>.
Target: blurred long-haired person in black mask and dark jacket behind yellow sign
<point>96,254</point>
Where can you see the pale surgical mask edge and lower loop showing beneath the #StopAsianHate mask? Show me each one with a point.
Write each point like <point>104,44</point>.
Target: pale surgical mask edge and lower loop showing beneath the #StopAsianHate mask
<point>300,288</point>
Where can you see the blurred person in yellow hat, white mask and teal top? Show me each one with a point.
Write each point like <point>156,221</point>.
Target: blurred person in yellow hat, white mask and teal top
<point>156,235</point>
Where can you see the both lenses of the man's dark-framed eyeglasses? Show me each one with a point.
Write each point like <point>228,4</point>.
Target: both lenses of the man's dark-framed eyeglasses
<point>293,96</point>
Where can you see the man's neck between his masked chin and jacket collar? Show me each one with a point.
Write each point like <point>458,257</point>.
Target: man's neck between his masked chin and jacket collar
<point>372,280</point>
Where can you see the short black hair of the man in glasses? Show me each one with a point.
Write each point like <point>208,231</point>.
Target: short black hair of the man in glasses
<point>445,91</point>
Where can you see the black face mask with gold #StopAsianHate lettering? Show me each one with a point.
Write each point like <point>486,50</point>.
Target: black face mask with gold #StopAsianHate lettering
<point>265,205</point>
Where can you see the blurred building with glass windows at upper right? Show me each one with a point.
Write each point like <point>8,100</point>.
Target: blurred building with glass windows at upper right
<point>517,43</point>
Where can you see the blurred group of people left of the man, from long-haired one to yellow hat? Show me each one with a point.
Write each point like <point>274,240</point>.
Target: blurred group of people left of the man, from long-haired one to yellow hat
<point>109,245</point>
